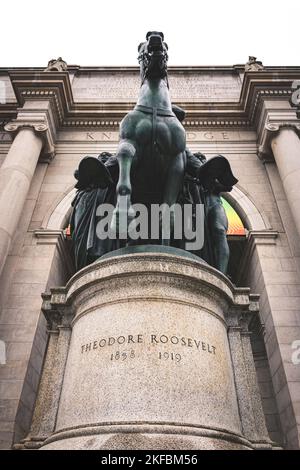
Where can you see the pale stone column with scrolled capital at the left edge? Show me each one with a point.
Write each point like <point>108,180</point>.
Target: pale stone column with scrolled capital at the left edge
<point>16,174</point>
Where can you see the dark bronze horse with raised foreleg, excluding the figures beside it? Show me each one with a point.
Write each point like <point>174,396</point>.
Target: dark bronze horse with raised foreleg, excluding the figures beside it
<point>152,140</point>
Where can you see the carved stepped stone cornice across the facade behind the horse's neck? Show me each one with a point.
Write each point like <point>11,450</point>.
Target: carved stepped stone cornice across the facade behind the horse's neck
<point>271,83</point>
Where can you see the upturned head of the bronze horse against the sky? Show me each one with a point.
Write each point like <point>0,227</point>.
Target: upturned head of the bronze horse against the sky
<point>153,56</point>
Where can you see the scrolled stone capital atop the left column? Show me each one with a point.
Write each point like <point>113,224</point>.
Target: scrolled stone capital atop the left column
<point>41,129</point>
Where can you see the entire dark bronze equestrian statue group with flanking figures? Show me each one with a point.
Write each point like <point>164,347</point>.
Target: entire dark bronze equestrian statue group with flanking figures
<point>152,166</point>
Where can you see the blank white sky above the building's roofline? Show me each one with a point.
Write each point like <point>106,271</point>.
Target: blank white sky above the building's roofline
<point>97,32</point>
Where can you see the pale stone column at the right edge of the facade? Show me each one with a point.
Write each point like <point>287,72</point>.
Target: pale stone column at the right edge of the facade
<point>286,150</point>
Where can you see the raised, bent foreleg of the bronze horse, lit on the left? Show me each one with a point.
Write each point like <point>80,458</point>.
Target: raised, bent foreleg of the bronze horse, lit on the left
<point>123,212</point>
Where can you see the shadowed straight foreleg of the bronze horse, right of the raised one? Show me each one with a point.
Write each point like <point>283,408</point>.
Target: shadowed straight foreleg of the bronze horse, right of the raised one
<point>173,186</point>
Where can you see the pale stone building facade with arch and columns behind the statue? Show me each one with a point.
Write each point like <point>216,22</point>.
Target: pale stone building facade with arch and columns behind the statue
<point>51,119</point>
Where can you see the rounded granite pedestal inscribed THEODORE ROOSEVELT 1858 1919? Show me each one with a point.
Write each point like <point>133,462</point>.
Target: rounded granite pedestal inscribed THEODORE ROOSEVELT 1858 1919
<point>149,350</point>
